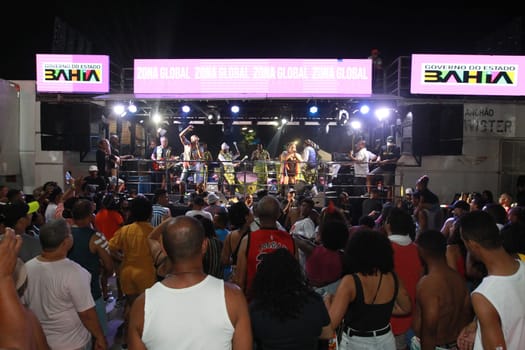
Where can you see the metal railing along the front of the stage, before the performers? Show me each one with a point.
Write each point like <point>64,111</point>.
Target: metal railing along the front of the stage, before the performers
<point>146,175</point>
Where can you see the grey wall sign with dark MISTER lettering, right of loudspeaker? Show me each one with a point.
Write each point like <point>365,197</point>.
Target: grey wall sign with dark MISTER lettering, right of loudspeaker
<point>489,120</point>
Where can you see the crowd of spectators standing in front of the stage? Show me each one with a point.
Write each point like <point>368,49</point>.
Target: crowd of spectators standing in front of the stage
<point>261,272</point>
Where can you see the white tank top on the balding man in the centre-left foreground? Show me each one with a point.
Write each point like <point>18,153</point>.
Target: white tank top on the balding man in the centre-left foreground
<point>187,318</point>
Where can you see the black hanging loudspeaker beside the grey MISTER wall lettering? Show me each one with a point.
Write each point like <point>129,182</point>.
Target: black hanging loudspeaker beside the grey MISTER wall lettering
<point>437,129</point>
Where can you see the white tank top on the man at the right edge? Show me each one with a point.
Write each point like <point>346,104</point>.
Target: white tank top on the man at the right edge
<point>507,295</point>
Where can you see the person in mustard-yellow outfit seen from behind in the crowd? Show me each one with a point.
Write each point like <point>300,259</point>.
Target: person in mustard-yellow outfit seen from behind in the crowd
<point>130,247</point>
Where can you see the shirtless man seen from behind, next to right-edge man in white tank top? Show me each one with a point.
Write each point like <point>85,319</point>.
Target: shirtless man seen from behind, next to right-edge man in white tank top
<point>441,313</point>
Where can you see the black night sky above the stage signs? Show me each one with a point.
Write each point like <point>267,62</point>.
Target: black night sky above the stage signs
<point>218,29</point>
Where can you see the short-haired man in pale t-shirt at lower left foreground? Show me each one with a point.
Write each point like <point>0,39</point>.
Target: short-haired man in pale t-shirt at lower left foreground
<point>58,293</point>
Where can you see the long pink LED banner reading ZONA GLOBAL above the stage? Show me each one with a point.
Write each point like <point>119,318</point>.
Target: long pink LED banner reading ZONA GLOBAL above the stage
<point>253,78</point>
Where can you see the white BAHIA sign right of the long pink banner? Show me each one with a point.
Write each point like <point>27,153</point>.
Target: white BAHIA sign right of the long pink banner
<point>468,75</point>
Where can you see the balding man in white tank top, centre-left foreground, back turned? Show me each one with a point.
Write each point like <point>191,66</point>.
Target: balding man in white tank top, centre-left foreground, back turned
<point>189,309</point>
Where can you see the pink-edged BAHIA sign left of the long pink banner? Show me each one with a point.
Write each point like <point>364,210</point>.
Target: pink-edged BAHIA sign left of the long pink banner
<point>72,73</point>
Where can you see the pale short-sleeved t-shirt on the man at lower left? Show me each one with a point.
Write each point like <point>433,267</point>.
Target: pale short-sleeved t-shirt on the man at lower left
<point>56,292</point>
